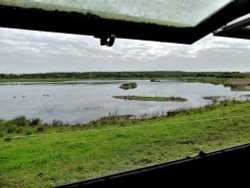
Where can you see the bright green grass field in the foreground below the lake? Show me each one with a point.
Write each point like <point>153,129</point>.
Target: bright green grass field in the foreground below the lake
<point>49,160</point>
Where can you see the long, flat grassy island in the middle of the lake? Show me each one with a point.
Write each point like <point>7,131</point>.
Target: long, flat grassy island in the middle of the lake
<point>156,99</point>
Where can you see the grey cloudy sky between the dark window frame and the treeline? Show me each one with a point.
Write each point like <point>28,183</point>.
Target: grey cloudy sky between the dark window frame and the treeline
<point>31,52</point>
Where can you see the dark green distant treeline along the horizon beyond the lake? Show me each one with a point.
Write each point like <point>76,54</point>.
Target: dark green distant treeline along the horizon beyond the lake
<point>124,75</point>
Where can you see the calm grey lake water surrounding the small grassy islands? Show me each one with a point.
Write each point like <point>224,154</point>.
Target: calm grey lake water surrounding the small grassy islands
<point>84,101</point>
